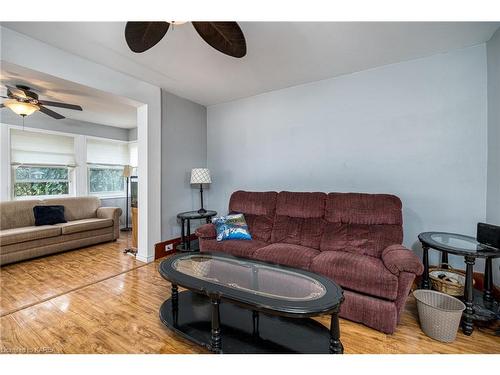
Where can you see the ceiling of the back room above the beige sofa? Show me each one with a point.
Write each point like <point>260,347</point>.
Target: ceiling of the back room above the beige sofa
<point>98,107</point>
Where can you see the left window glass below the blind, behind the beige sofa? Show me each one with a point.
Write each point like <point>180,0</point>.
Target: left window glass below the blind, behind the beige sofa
<point>41,181</point>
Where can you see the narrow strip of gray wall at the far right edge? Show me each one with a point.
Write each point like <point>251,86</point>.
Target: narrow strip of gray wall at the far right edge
<point>493,195</point>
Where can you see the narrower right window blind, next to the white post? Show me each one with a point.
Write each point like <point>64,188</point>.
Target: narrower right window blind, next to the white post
<point>107,152</point>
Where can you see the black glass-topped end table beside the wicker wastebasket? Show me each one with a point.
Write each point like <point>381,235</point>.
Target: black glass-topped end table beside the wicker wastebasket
<point>470,249</point>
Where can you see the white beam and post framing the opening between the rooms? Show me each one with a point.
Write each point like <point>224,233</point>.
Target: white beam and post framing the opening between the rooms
<point>19,49</point>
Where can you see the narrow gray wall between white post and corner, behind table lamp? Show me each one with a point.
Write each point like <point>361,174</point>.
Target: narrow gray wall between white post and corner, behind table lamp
<point>184,146</point>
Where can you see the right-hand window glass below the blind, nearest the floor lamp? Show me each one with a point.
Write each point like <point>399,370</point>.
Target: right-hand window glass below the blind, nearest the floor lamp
<point>106,180</point>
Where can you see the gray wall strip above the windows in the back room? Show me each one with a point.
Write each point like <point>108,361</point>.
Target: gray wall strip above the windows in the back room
<point>41,121</point>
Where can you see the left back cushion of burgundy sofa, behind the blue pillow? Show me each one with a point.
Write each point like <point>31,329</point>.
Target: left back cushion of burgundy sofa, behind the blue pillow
<point>259,209</point>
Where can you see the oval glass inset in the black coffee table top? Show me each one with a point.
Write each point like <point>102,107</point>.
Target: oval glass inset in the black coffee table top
<point>255,278</point>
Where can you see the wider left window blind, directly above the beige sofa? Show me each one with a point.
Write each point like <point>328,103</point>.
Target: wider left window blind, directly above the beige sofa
<point>41,148</point>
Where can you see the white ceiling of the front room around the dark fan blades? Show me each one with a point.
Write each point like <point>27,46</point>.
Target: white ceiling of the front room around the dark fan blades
<point>279,54</point>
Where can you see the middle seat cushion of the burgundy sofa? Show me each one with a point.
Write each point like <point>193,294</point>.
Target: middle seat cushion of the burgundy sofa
<point>287,255</point>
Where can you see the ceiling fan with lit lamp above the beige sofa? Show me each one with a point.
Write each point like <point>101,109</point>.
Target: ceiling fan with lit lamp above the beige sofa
<point>23,101</point>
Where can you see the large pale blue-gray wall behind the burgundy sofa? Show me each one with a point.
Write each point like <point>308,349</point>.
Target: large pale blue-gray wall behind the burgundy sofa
<point>416,129</point>
